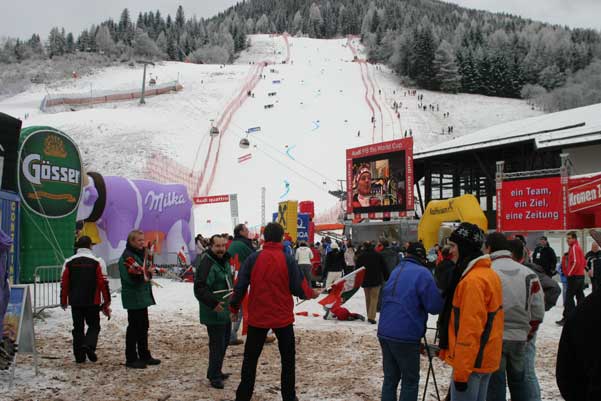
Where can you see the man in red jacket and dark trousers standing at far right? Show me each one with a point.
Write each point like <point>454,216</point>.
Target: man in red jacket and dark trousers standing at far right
<point>574,271</point>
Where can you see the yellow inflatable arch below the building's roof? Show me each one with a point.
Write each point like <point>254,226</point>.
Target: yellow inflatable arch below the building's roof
<point>463,208</point>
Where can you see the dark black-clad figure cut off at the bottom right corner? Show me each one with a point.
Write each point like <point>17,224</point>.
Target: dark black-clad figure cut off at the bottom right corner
<point>579,362</point>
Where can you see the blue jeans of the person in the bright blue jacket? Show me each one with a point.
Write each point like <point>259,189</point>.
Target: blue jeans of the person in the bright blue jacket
<point>401,362</point>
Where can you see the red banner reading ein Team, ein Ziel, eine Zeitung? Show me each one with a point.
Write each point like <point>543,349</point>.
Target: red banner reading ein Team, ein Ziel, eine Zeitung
<point>531,205</point>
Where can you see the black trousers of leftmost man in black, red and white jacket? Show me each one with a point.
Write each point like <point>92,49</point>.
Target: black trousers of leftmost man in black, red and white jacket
<point>83,315</point>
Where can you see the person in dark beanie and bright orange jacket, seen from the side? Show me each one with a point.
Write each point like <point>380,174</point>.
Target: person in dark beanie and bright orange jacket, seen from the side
<point>471,337</point>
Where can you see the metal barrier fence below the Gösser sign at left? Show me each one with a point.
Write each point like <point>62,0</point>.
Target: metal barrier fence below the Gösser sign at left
<point>46,288</point>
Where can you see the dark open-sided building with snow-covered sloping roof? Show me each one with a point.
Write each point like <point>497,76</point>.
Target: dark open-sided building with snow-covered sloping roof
<point>468,164</point>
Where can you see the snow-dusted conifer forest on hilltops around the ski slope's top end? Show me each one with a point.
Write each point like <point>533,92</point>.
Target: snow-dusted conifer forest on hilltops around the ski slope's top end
<point>430,44</point>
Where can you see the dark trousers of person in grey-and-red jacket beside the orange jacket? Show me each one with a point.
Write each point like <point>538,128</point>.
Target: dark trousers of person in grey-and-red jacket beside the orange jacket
<point>512,371</point>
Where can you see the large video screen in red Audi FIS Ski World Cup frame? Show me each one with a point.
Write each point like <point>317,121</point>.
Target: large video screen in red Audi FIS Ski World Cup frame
<point>379,179</point>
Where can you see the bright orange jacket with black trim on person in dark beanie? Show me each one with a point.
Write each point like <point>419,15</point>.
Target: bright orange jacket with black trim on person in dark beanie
<point>476,323</point>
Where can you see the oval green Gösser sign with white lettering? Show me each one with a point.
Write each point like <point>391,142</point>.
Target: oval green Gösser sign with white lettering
<point>50,182</point>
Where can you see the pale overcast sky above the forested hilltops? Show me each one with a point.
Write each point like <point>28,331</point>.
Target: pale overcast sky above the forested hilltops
<point>21,18</point>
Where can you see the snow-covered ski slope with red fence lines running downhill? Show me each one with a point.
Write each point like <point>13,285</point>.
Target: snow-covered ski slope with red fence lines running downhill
<point>321,102</point>
